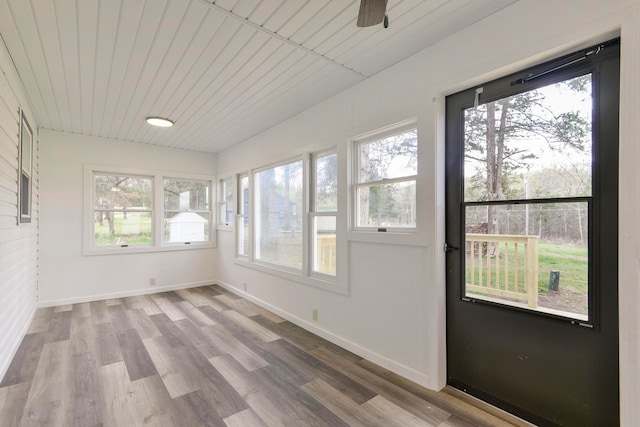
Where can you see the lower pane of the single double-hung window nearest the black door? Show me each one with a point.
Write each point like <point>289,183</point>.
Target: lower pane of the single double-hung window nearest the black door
<point>387,205</point>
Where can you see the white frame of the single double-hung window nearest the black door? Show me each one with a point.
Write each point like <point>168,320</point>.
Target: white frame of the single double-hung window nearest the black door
<point>356,183</point>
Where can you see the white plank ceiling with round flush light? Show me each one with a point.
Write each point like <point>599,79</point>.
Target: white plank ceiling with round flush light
<point>223,71</point>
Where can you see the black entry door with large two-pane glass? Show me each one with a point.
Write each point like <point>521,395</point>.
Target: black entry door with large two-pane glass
<point>532,240</point>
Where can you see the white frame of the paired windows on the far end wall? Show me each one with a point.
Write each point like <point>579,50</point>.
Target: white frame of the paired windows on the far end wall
<point>157,216</point>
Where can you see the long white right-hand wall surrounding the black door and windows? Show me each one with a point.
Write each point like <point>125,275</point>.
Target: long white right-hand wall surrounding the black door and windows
<point>394,312</point>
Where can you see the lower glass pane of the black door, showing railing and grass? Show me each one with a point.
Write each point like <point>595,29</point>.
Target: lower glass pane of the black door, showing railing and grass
<point>534,256</point>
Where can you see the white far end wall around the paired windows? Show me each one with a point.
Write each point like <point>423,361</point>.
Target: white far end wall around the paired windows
<point>68,276</point>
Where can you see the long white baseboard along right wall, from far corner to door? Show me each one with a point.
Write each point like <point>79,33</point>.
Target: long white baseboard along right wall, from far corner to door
<point>392,365</point>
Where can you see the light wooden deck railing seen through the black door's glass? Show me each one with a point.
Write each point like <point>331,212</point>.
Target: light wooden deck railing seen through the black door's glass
<point>503,266</point>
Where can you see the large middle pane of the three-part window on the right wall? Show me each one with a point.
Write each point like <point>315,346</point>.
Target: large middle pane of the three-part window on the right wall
<point>278,220</point>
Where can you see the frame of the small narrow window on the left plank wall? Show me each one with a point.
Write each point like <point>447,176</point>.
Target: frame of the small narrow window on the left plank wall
<point>25,190</point>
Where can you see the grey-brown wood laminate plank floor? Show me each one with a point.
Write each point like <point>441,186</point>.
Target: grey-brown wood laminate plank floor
<point>204,357</point>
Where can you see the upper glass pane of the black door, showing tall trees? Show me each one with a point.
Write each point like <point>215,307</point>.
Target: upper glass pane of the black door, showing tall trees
<point>536,144</point>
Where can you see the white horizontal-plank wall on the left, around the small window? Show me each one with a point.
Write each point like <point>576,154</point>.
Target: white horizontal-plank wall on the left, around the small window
<point>18,244</point>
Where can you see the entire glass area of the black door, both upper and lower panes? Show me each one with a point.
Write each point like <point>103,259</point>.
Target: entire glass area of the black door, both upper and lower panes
<point>532,145</point>
